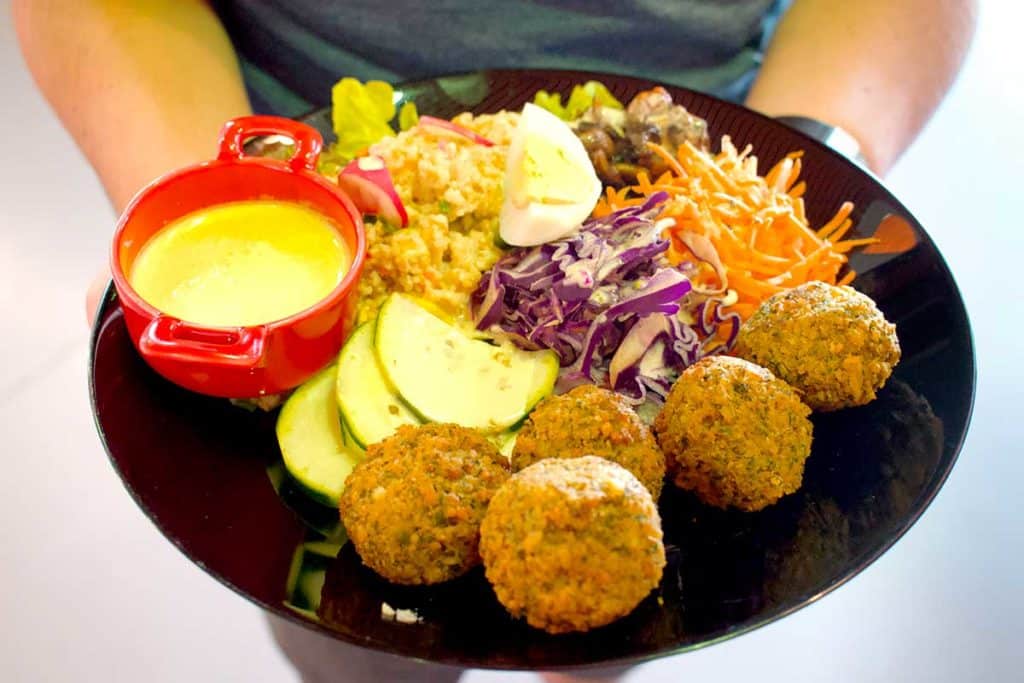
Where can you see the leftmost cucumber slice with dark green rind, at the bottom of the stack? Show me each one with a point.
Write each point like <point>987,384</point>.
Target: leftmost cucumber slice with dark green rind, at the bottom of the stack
<point>310,434</point>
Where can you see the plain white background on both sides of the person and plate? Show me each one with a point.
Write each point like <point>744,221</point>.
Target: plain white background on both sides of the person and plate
<point>91,591</point>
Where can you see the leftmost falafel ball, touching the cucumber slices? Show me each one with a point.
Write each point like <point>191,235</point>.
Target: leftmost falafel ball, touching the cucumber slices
<point>413,508</point>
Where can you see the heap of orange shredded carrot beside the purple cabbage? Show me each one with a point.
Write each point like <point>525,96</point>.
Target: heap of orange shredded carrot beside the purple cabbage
<point>756,225</point>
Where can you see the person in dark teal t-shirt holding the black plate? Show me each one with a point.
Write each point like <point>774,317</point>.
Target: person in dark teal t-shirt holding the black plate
<point>159,77</point>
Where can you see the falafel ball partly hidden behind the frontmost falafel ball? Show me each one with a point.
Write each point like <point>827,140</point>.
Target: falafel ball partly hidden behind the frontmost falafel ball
<point>591,421</point>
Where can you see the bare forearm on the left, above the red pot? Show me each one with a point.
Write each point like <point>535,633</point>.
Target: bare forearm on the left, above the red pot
<point>143,87</point>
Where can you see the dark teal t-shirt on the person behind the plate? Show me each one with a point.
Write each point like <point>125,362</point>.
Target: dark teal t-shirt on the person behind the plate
<point>293,51</point>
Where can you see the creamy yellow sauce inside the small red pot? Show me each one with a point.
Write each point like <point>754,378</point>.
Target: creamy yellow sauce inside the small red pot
<point>241,264</point>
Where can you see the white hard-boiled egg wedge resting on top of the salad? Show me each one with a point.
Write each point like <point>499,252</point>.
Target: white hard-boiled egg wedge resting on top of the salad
<point>550,184</point>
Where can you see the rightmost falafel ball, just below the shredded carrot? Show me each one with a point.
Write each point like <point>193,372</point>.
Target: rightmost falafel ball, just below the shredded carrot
<point>831,344</point>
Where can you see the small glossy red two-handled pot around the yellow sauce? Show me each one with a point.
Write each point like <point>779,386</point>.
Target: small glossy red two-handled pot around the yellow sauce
<point>253,361</point>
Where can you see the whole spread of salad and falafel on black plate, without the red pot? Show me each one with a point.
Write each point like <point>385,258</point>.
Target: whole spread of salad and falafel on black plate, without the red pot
<point>591,277</point>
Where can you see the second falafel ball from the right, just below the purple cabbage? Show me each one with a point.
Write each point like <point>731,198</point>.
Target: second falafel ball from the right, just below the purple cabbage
<point>735,434</point>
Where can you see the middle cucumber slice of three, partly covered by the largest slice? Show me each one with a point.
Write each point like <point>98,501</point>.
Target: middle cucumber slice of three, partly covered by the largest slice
<point>372,410</point>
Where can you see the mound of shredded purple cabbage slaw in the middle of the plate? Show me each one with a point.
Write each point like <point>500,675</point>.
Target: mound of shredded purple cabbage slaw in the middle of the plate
<point>609,304</point>
